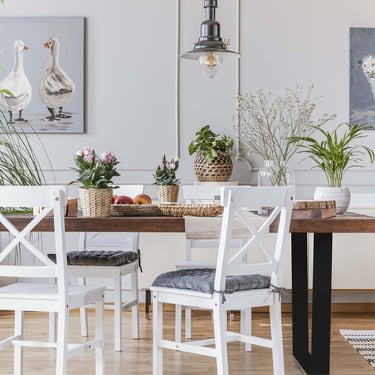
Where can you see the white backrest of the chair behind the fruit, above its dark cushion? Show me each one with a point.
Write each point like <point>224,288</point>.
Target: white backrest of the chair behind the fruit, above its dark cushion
<point>128,240</point>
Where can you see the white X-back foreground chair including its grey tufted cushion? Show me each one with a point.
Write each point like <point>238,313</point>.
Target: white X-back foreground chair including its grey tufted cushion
<point>233,285</point>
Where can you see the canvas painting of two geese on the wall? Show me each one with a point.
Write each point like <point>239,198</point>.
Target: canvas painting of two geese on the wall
<point>42,71</point>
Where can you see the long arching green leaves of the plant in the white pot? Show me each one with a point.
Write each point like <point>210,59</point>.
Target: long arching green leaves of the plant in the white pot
<point>335,154</point>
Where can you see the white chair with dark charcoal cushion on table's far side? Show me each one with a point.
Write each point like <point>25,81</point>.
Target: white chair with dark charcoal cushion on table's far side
<point>113,257</point>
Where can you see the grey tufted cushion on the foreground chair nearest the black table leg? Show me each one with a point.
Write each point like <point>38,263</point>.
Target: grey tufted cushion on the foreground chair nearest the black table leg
<point>202,280</point>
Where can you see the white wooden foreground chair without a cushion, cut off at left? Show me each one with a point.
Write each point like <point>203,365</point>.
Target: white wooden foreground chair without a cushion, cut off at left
<point>43,285</point>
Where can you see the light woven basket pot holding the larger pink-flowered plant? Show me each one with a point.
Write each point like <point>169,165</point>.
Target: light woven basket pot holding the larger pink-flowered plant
<point>96,202</point>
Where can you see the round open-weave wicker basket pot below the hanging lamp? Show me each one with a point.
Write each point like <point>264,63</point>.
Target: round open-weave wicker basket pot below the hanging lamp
<point>219,170</point>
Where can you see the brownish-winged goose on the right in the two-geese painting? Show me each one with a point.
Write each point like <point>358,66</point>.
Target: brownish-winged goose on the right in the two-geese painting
<point>56,88</point>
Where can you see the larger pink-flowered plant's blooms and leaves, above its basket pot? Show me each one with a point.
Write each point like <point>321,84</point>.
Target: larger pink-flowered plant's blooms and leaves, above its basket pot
<point>95,172</point>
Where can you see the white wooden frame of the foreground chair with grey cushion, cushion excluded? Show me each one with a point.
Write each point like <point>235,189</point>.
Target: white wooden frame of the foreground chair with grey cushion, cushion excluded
<point>234,200</point>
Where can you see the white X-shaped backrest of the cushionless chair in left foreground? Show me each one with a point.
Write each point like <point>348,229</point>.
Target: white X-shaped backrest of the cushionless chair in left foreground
<point>51,200</point>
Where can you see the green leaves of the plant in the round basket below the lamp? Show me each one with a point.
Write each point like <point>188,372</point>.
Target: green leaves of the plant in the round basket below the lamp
<point>210,143</point>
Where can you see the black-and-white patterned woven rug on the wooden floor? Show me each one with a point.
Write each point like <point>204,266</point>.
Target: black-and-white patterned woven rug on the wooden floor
<point>363,341</point>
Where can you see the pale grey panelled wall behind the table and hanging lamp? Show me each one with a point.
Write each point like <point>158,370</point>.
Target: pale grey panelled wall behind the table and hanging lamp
<point>131,81</point>
